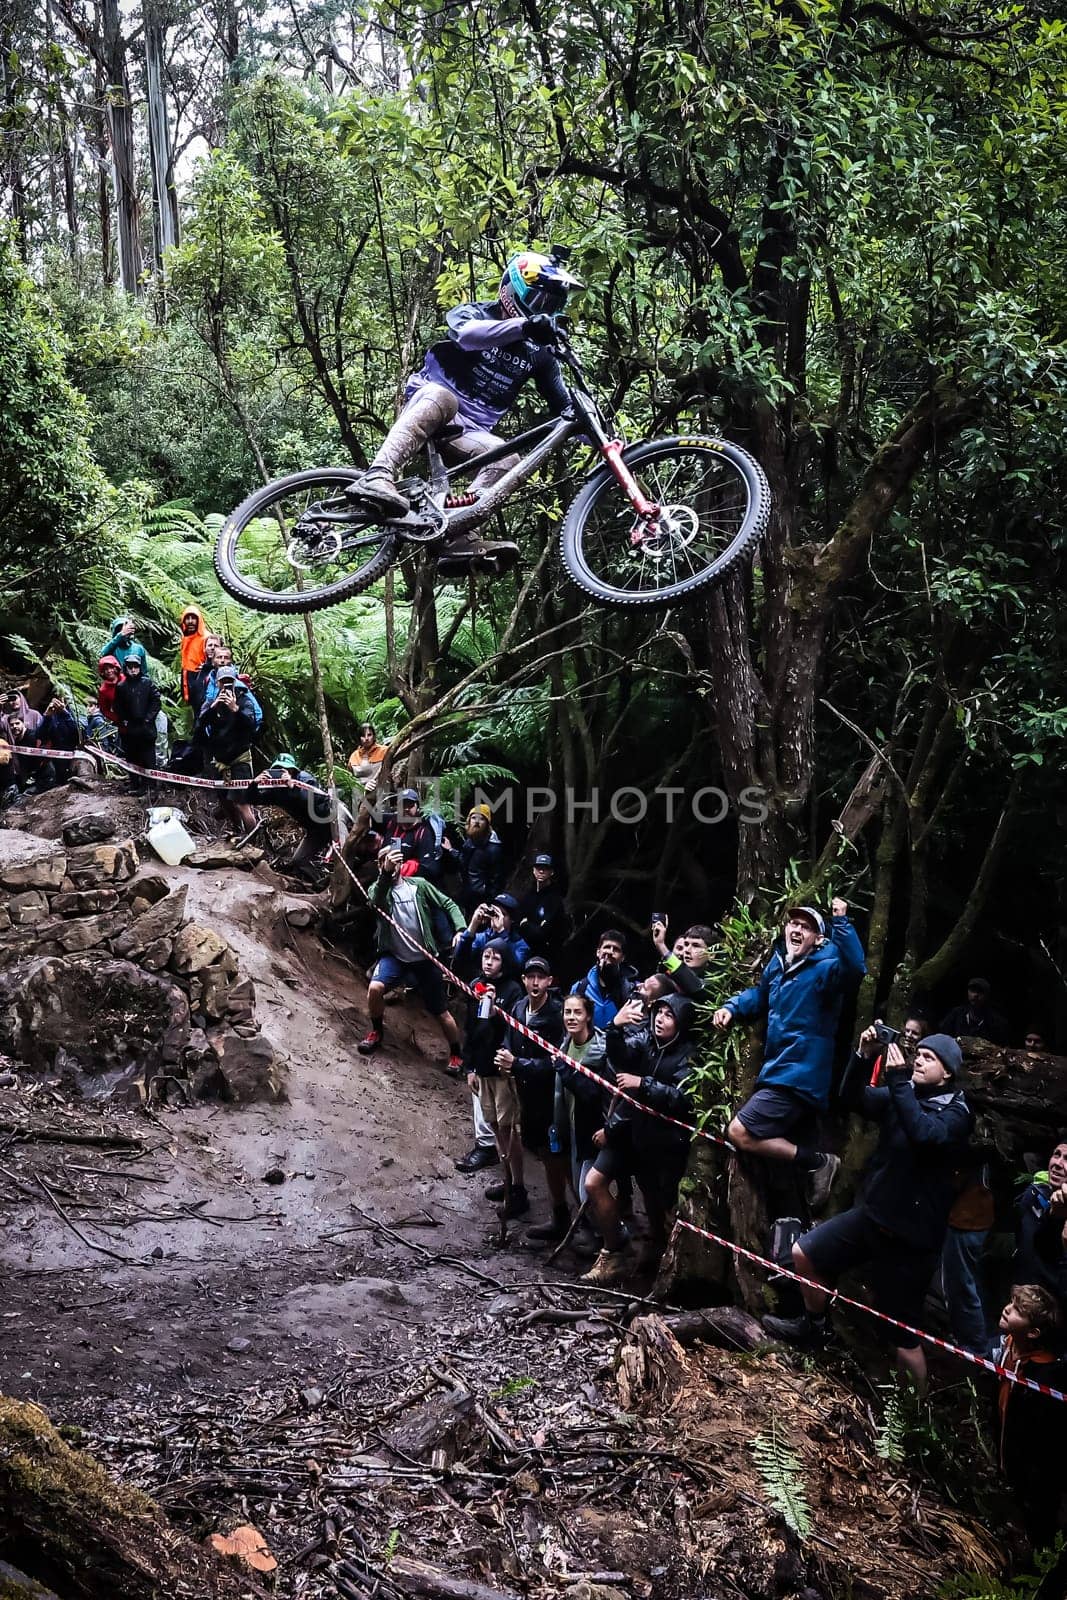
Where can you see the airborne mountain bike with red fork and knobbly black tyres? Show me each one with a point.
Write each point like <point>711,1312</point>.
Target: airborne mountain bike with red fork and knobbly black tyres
<point>652,524</point>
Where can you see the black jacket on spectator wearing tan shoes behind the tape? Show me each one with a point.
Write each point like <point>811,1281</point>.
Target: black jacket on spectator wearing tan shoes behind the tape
<point>665,1071</point>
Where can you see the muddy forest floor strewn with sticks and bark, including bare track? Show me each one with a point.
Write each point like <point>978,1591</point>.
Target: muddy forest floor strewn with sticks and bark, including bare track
<point>249,1350</point>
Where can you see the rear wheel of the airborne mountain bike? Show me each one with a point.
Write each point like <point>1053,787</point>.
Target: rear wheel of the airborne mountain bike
<point>297,545</point>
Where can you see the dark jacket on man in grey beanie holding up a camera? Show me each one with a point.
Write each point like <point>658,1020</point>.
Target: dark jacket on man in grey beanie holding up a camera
<point>913,1178</point>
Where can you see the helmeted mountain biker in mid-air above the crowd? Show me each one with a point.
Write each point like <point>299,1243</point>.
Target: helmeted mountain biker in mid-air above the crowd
<point>471,380</point>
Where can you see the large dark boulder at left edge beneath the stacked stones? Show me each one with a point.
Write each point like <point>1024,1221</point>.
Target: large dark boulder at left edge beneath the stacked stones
<point>95,1018</point>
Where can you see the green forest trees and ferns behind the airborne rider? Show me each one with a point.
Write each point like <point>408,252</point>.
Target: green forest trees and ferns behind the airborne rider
<point>831,231</point>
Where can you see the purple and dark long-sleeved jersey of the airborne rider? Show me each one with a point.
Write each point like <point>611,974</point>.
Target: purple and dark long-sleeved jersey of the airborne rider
<point>486,362</point>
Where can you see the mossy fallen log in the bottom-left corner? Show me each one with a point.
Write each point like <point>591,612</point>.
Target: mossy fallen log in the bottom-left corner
<point>74,1529</point>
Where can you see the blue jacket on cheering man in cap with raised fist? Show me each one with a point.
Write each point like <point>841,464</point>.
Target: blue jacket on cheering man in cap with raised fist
<point>802,1007</point>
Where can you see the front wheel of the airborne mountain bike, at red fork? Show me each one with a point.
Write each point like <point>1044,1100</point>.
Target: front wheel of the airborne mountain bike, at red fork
<point>714,503</point>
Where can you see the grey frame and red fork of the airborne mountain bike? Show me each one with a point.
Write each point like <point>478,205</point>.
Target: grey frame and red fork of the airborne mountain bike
<point>545,439</point>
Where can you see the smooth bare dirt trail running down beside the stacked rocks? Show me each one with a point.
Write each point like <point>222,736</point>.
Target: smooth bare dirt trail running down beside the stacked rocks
<point>382,1134</point>
